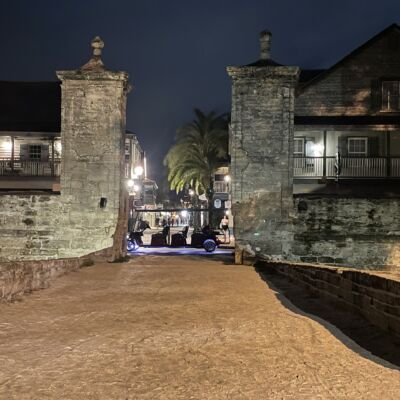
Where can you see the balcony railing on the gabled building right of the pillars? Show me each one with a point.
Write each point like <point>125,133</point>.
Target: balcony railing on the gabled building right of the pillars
<point>346,167</point>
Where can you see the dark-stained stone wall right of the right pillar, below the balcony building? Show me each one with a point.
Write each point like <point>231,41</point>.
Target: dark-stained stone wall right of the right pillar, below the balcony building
<point>363,232</point>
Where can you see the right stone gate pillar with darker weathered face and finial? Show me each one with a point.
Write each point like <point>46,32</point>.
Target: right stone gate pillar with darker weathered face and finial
<point>261,148</point>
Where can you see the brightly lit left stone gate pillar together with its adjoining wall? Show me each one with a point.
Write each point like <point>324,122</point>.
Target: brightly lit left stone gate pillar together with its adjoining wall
<point>90,214</point>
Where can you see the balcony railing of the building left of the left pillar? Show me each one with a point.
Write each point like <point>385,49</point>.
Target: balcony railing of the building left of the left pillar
<point>19,167</point>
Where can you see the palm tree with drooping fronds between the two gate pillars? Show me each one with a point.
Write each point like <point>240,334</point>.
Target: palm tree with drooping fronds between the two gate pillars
<point>200,147</point>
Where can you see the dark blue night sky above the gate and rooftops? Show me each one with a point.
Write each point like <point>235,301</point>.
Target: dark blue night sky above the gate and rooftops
<point>176,51</point>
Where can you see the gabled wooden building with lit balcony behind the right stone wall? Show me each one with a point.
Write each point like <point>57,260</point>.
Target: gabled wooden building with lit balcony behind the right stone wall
<point>347,118</point>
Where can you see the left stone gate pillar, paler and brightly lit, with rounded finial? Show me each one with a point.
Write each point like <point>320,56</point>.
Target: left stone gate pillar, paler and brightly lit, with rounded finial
<point>92,137</point>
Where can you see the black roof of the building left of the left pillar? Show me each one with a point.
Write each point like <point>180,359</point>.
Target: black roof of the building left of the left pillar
<point>30,106</point>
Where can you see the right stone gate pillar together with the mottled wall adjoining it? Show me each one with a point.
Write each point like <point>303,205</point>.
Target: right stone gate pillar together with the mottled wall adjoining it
<point>269,221</point>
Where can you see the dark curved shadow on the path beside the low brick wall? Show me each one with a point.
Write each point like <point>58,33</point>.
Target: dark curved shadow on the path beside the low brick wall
<point>350,328</point>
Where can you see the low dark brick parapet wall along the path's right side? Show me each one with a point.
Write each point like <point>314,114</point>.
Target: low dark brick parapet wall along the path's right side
<point>377,298</point>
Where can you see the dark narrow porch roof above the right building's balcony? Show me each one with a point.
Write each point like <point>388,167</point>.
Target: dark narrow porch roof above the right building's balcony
<point>348,120</point>
